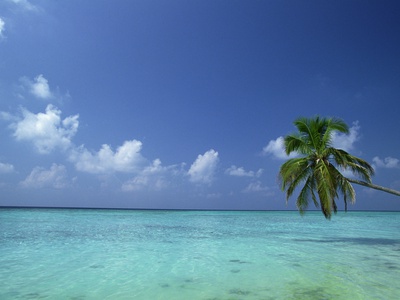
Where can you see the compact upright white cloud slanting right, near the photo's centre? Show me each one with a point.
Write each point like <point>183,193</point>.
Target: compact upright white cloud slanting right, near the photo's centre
<point>203,168</point>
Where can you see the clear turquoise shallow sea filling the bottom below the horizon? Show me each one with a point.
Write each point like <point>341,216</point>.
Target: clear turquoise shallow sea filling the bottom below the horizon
<point>118,254</point>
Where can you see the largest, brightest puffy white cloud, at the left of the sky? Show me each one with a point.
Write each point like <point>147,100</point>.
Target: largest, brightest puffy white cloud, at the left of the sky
<point>46,130</point>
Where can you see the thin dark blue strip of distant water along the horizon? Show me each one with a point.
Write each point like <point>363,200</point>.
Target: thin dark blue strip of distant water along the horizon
<point>173,209</point>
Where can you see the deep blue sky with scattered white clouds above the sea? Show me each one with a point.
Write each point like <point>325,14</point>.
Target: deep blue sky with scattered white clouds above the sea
<point>183,104</point>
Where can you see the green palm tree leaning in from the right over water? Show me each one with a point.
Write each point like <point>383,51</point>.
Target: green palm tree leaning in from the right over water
<point>319,166</point>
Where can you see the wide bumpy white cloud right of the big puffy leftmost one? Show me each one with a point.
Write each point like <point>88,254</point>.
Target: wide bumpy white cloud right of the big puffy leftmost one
<point>126,158</point>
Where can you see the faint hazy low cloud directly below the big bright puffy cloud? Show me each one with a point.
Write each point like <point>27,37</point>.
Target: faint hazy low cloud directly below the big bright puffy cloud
<point>55,177</point>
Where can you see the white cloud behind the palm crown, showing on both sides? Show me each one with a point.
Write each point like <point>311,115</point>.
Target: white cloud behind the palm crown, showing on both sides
<point>341,141</point>
